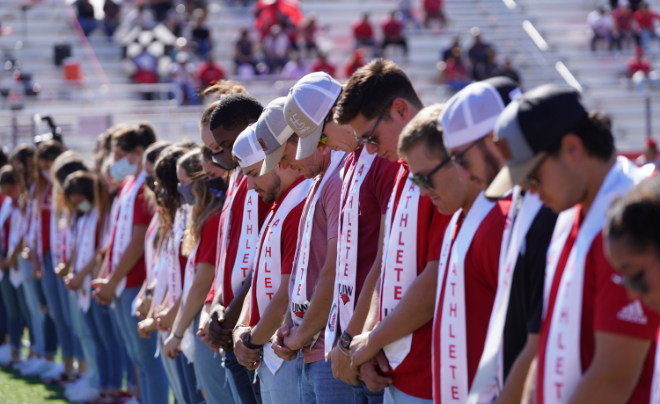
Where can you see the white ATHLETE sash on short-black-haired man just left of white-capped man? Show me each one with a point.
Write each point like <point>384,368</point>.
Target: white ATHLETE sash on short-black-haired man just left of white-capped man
<point>246,243</point>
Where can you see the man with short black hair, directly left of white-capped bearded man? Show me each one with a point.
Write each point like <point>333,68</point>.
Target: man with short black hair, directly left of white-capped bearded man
<point>243,210</point>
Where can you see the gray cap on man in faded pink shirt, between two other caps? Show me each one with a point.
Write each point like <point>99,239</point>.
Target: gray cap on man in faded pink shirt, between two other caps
<point>272,133</point>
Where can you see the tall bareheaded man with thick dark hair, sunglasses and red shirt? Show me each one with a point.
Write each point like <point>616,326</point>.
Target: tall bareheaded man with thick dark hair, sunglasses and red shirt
<point>378,90</point>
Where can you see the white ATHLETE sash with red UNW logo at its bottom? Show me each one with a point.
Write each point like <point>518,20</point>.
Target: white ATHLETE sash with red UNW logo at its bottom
<point>347,247</point>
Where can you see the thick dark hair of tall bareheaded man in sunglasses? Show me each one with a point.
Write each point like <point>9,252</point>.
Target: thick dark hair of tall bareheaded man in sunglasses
<point>371,89</point>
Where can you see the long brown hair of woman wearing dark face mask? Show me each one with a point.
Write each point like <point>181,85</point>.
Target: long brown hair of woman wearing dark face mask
<point>206,204</point>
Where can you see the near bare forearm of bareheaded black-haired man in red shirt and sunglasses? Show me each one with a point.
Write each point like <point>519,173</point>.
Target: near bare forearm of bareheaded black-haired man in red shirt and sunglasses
<point>413,311</point>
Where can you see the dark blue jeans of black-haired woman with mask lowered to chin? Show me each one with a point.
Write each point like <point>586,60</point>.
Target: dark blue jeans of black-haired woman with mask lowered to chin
<point>109,358</point>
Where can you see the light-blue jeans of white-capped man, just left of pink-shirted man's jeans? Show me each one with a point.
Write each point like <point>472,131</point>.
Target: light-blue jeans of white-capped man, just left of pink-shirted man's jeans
<point>283,387</point>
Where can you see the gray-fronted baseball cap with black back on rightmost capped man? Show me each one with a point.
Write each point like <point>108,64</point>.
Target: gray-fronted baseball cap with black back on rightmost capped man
<point>529,127</point>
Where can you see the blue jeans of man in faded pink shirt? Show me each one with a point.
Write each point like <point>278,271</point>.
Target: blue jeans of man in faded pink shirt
<point>318,385</point>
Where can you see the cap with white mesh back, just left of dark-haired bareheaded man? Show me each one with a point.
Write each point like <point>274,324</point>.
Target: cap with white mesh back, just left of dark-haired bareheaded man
<point>308,103</point>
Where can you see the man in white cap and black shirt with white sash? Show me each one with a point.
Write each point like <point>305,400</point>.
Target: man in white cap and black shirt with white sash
<point>512,338</point>
